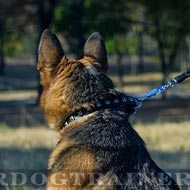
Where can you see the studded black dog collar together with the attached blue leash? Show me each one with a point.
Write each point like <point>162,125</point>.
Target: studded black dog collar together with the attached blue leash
<point>128,102</point>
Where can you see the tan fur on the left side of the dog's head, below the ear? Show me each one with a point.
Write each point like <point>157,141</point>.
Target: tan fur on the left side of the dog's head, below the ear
<point>52,99</point>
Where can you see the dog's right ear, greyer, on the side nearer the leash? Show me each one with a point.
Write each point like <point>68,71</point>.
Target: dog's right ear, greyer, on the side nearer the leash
<point>96,49</point>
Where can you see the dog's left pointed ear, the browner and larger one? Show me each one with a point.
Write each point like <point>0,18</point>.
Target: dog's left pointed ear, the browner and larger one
<point>50,51</point>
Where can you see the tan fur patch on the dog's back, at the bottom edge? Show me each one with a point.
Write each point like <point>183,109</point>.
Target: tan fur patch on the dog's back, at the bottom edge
<point>81,164</point>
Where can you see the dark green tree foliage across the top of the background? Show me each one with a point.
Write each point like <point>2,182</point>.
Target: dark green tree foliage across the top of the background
<point>119,21</point>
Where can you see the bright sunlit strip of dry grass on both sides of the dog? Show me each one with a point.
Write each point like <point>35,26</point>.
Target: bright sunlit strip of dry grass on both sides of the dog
<point>159,136</point>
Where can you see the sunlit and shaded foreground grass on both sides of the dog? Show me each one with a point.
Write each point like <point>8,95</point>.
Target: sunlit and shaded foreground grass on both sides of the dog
<point>169,143</point>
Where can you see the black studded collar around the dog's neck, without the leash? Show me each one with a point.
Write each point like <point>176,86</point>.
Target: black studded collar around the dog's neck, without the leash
<point>128,102</point>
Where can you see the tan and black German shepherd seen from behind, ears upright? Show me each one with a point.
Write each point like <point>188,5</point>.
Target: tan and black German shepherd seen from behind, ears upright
<point>97,149</point>
